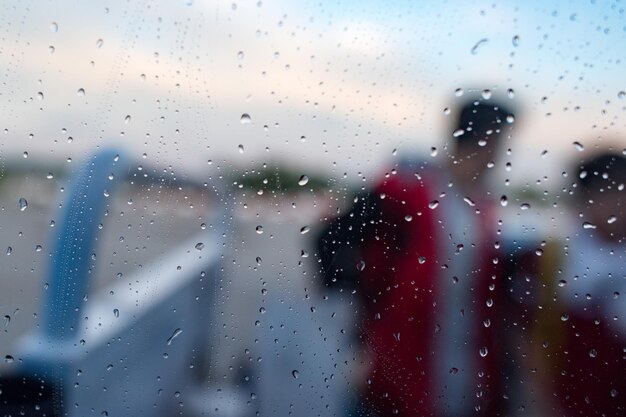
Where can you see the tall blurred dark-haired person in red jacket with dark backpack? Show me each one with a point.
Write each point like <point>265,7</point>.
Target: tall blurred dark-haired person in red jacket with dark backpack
<point>420,250</point>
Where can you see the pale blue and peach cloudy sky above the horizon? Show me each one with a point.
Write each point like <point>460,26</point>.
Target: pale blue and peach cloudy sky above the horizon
<point>328,85</point>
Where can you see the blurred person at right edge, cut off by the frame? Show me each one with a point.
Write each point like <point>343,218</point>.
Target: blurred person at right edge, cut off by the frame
<point>582,323</point>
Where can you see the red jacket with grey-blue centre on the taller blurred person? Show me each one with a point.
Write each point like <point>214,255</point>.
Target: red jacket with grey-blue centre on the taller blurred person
<point>430,286</point>
